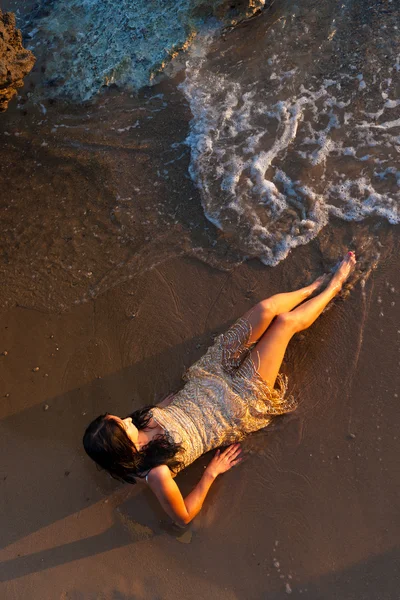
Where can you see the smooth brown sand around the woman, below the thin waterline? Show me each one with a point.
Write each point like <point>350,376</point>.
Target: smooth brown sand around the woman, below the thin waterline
<point>312,512</point>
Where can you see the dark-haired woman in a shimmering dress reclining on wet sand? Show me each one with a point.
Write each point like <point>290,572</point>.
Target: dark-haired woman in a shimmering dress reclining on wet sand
<point>229,393</point>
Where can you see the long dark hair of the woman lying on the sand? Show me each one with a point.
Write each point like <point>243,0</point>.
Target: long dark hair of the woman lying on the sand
<point>107,443</point>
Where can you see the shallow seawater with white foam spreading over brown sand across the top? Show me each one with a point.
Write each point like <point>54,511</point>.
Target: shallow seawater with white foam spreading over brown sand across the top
<point>257,139</point>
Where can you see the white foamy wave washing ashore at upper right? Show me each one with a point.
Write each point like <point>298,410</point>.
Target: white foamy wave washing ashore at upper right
<point>298,129</point>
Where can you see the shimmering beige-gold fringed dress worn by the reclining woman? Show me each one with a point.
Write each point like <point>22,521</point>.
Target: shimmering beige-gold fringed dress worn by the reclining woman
<point>224,398</point>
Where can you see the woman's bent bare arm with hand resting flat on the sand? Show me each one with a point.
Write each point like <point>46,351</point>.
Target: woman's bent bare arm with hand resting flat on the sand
<point>181,510</point>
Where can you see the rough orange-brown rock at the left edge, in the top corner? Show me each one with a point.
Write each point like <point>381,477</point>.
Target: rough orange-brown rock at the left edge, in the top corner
<point>15,60</point>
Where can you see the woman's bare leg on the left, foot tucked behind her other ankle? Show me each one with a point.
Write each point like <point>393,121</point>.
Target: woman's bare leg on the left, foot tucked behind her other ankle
<point>262,314</point>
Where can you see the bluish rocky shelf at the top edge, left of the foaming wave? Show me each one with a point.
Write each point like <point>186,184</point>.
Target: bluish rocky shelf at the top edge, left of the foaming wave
<point>123,42</point>
